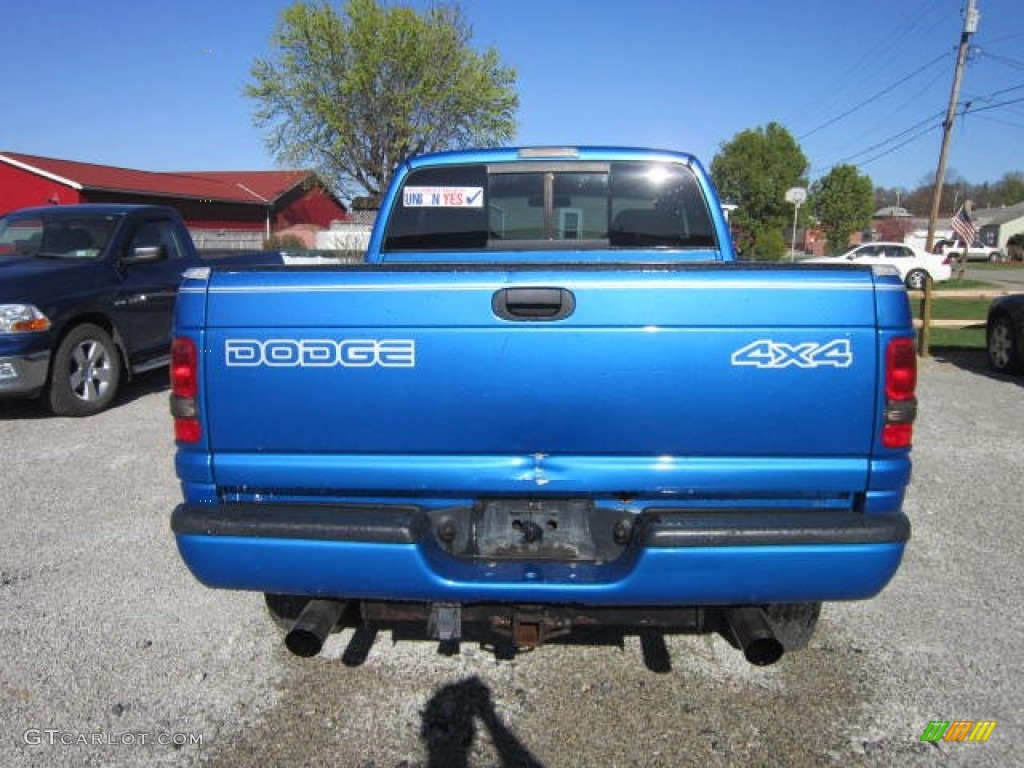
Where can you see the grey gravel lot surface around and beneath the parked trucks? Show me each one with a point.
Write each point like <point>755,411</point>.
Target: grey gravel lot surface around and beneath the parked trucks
<point>112,653</point>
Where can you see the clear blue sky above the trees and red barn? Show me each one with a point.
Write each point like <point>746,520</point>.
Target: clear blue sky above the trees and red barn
<point>158,87</point>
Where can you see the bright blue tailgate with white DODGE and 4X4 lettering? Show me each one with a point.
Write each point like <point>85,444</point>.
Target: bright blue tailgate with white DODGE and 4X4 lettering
<point>644,380</point>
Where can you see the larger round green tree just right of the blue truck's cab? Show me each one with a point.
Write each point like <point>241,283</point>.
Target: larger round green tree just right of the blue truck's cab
<point>754,170</point>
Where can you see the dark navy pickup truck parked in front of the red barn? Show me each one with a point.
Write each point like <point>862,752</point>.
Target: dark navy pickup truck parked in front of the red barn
<point>87,298</point>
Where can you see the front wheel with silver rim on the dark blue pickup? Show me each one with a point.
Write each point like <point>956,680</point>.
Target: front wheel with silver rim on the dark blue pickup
<point>86,373</point>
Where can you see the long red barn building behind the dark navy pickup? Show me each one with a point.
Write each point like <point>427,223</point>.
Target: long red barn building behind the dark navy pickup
<point>222,208</point>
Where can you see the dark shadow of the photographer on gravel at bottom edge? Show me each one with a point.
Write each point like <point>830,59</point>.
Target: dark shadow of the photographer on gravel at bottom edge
<point>450,727</point>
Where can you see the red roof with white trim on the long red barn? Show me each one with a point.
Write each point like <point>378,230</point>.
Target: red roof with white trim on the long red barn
<point>260,188</point>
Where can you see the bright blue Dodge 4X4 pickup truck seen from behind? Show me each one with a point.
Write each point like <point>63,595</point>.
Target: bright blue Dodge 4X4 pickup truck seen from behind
<point>551,400</point>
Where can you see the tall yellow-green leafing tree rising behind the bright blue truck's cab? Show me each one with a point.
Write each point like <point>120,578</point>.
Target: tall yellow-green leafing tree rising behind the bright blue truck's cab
<point>355,94</point>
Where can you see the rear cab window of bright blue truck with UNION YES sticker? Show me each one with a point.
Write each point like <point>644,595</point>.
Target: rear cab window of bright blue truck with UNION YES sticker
<point>524,206</point>
